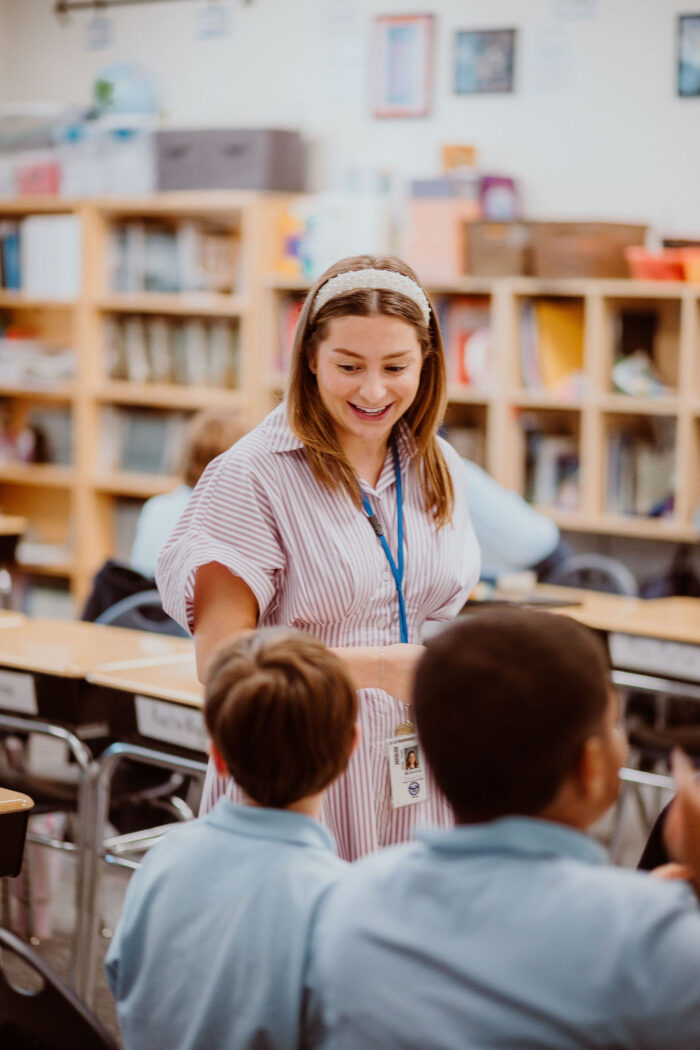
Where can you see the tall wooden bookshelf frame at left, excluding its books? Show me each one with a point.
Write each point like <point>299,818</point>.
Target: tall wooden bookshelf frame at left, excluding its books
<point>72,508</point>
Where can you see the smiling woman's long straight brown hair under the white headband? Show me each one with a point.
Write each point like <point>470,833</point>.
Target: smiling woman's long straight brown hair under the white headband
<point>311,423</point>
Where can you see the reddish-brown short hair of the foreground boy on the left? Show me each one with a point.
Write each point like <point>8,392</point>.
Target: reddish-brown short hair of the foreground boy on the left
<point>281,709</point>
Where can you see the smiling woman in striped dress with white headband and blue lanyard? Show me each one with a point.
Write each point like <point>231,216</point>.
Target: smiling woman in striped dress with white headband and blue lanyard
<point>346,516</point>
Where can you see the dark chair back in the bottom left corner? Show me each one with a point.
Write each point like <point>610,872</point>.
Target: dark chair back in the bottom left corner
<point>52,1018</point>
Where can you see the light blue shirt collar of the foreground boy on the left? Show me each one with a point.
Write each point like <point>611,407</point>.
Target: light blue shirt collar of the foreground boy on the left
<point>259,823</point>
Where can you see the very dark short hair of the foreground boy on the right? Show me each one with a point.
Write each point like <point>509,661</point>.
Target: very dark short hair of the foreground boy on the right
<point>504,702</point>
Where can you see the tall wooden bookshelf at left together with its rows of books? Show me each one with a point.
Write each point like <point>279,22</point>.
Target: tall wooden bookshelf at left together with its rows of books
<point>185,275</point>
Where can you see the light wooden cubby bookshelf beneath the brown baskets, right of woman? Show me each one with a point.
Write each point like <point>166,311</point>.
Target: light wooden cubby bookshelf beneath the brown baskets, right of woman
<point>514,412</point>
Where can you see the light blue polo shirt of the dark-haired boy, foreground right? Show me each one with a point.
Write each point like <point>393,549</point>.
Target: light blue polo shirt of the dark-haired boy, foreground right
<point>513,935</point>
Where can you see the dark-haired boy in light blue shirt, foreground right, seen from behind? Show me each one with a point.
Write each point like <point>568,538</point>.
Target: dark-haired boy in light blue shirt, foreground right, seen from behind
<point>510,931</point>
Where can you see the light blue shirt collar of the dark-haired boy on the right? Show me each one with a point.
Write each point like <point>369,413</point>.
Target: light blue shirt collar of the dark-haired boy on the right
<point>523,836</point>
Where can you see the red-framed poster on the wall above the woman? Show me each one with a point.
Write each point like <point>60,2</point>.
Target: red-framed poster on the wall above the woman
<point>402,66</point>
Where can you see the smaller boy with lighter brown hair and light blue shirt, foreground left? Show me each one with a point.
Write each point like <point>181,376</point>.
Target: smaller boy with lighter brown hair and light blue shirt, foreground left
<point>211,949</point>
